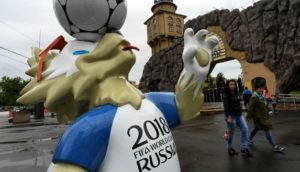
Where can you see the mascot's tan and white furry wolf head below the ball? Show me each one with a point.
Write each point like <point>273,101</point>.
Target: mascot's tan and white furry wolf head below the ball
<point>99,77</point>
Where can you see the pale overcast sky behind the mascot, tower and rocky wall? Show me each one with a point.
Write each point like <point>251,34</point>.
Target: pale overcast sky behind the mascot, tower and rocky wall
<point>22,20</point>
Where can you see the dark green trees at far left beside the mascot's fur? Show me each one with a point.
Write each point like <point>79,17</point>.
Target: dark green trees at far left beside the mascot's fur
<point>10,90</point>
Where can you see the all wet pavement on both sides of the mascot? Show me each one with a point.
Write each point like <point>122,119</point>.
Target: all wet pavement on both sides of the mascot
<point>200,145</point>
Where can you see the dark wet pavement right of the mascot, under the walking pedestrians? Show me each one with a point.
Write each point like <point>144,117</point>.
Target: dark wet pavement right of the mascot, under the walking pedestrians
<point>202,149</point>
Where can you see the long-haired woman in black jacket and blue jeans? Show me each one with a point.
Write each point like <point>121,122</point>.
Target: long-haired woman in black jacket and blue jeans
<point>233,116</point>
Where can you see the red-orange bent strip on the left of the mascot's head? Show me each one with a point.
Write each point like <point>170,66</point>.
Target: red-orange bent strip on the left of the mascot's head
<point>59,43</point>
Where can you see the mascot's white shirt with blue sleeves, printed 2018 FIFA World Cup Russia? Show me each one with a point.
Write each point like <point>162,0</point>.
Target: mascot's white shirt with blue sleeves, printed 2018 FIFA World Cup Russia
<point>115,139</point>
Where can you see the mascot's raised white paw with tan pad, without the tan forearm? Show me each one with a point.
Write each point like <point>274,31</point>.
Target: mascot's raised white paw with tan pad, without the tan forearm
<point>196,58</point>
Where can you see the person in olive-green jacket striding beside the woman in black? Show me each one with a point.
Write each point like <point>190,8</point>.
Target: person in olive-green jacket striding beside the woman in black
<point>258,112</point>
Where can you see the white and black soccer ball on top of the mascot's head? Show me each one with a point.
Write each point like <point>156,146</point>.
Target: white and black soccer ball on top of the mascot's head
<point>79,17</point>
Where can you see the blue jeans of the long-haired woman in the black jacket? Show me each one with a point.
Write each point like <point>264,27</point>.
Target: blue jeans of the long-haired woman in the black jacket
<point>242,124</point>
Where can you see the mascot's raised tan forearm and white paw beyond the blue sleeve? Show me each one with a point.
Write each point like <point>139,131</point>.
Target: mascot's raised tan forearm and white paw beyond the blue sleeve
<point>197,59</point>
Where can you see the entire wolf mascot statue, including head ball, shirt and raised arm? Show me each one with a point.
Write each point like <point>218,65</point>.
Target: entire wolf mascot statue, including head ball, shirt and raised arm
<point>115,127</point>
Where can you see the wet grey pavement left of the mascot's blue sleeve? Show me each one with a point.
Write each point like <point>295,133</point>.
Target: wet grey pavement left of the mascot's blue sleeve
<point>28,147</point>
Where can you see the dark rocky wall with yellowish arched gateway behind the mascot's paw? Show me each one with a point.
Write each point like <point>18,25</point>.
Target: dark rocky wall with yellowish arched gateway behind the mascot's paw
<point>266,50</point>
